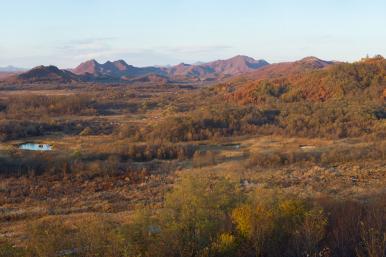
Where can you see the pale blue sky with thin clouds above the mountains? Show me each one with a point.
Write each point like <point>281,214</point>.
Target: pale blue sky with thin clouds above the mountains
<point>168,32</point>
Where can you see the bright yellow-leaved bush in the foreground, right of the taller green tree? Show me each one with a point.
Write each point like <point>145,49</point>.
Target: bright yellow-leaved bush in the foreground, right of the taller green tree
<point>280,228</point>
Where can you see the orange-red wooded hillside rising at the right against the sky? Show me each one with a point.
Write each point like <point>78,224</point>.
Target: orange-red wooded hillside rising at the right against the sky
<point>309,79</point>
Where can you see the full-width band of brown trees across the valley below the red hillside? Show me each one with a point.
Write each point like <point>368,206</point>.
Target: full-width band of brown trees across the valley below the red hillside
<point>333,119</point>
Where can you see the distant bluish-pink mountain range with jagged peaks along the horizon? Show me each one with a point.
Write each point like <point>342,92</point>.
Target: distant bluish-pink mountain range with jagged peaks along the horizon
<point>120,71</point>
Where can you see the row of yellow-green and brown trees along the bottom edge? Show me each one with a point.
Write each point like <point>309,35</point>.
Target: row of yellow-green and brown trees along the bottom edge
<point>207,216</point>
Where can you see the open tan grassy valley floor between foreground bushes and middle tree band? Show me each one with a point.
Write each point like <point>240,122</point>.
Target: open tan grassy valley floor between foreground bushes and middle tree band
<point>70,196</point>
